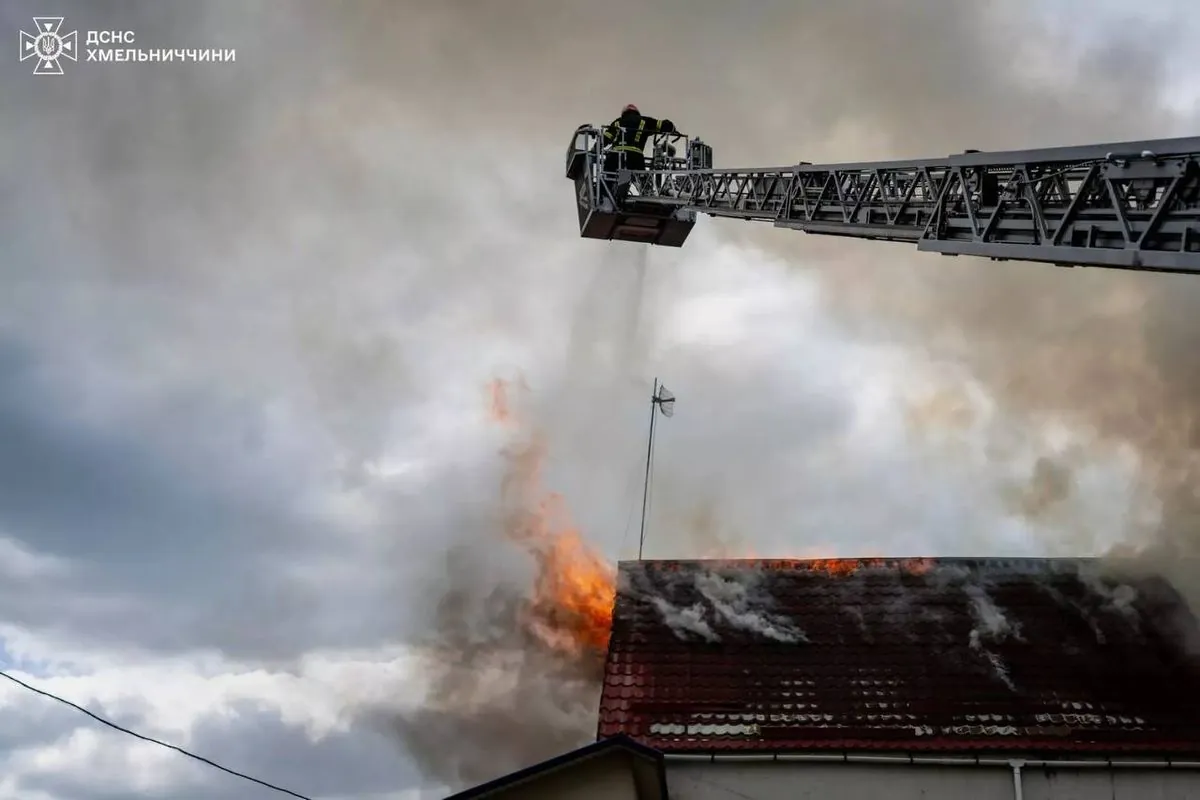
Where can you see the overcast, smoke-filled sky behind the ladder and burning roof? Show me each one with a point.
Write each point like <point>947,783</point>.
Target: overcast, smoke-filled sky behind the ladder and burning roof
<point>249,314</point>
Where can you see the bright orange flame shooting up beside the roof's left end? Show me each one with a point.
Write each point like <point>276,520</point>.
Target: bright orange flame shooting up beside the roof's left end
<point>575,587</point>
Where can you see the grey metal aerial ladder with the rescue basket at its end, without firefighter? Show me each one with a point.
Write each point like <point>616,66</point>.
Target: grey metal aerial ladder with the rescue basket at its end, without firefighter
<point>1132,206</point>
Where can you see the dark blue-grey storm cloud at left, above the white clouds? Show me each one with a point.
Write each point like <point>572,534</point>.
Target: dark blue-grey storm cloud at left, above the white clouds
<point>151,509</point>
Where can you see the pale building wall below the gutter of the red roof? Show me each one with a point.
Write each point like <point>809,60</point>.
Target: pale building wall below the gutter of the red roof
<point>784,780</point>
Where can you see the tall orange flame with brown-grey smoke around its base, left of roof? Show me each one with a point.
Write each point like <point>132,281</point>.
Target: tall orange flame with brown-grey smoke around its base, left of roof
<point>515,652</point>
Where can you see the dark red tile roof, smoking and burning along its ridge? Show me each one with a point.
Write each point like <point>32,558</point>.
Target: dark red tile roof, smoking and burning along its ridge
<point>901,655</point>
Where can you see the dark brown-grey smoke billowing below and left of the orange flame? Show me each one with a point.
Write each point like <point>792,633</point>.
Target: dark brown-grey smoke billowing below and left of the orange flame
<point>500,696</point>
